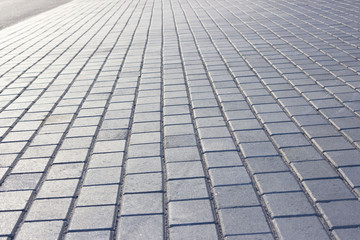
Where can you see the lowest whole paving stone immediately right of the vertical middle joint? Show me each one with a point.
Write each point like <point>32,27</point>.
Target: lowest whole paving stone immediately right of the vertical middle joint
<point>190,212</point>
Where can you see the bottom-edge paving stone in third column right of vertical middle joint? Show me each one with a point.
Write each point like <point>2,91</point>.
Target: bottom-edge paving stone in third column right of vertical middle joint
<point>302,228</point>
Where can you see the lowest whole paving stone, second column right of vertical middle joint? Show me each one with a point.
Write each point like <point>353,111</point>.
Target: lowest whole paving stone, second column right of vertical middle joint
<point>247,220</point>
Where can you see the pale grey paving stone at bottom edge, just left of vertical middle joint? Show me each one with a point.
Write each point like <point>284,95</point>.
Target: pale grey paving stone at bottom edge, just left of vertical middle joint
<point>141,227</point>
